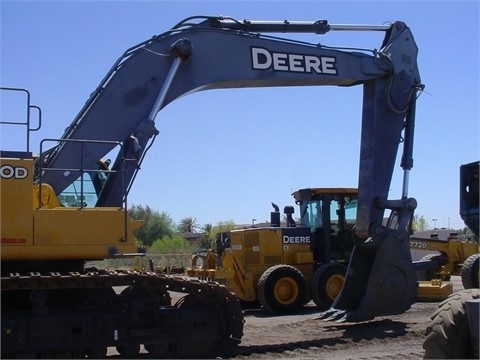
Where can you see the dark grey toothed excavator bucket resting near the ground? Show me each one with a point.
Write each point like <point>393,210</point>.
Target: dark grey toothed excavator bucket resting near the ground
<point>380,280</point>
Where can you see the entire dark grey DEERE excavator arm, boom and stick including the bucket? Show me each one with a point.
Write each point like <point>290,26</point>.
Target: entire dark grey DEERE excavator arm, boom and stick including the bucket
<point>203,53</point>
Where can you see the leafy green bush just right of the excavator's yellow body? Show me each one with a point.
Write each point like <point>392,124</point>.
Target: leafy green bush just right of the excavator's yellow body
<point>156,225</point>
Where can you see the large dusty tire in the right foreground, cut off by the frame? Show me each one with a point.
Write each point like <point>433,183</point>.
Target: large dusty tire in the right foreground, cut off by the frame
<point>448,334</point>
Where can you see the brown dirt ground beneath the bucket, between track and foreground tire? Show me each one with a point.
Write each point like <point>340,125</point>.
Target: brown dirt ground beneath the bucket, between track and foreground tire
<point>304,336</point>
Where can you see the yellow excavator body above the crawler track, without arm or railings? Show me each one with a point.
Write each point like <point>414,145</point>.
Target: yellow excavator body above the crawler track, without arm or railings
<point>34,225</point>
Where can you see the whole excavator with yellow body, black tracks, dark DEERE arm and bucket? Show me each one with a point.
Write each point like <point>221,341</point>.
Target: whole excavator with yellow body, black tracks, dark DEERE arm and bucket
<point>68,205</point>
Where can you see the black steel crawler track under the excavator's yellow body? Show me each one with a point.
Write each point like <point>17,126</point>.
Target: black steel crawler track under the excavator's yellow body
<point>71,315</point>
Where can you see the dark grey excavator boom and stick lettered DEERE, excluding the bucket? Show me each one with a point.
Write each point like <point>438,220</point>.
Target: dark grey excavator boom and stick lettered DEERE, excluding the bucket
<point>209,55</point>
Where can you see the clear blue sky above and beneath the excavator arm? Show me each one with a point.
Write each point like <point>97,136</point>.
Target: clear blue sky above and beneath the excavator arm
<point>226,154</point>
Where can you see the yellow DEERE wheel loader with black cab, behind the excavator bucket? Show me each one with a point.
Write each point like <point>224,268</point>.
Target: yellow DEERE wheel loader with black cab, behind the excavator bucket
<point>283,265</point>
